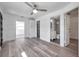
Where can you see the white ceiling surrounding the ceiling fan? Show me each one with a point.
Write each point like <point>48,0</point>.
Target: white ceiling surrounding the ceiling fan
<point>22,9</point>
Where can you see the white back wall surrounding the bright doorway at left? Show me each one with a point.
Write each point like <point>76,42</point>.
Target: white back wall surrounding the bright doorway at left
<point>9,26</point>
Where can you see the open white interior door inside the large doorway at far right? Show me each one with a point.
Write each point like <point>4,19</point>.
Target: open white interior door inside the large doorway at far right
<point>67,22</point>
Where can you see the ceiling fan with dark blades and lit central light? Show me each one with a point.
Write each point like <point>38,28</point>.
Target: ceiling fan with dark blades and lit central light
<point>35,8</point>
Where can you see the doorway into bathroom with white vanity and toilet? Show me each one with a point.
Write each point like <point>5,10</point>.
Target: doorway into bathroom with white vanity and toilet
<point>55,29</point>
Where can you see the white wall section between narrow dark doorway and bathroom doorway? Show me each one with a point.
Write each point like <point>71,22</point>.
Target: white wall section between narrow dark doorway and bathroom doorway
<point>45,29</point>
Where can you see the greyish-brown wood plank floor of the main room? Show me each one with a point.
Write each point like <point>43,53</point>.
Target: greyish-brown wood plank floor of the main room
<point>34,48</point>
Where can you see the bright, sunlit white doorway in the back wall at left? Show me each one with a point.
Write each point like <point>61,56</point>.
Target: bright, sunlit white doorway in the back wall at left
<point>19,29</point>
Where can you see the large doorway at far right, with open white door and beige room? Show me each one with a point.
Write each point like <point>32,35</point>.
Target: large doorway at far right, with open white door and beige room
<point>71,30</point>
